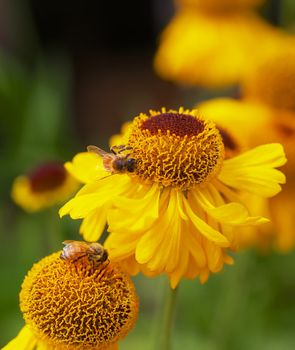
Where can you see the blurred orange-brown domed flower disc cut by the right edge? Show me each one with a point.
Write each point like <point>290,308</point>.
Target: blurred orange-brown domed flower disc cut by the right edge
<point>273,81</point>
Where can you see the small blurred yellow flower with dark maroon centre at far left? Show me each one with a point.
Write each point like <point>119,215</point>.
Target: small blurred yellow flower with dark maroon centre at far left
<point>45,186</point>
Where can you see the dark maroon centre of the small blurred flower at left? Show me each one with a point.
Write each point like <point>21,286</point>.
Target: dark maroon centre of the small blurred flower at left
<point>47,177</point>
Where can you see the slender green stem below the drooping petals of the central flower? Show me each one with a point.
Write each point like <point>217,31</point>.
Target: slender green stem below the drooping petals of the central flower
<point>167,320</point>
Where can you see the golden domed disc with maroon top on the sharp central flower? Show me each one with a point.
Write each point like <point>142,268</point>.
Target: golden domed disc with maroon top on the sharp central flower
<point>175,148</point>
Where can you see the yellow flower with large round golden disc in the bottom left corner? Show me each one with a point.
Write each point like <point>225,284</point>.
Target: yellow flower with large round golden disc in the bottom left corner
<point>69,305</point>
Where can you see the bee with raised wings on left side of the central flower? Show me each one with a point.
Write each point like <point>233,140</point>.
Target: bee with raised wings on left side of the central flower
<point>116,162</point>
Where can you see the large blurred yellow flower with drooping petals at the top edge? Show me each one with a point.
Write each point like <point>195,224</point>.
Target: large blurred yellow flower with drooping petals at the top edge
<point>211,46</point>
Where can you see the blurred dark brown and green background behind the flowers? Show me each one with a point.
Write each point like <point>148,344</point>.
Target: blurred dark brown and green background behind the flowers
<point>70,74</point>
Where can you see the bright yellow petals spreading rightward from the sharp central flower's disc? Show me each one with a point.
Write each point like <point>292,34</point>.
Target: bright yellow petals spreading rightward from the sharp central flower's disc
<point>253,171</point>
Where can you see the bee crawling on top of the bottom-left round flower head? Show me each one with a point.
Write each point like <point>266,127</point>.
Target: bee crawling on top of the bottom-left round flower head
<point>75,250</point>
